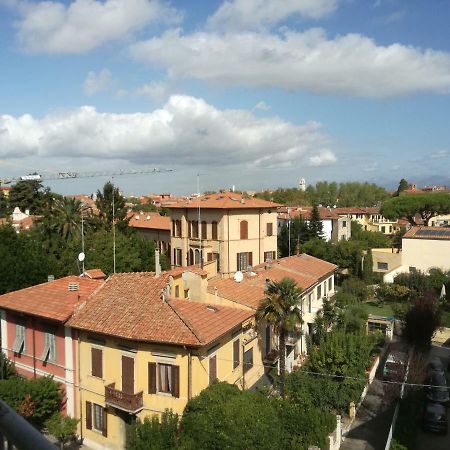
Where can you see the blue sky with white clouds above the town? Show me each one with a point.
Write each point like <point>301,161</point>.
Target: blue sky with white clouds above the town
<point>251,93</point>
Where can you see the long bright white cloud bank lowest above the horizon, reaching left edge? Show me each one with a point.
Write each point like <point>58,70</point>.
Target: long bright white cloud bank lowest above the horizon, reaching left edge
<point>187,131</point>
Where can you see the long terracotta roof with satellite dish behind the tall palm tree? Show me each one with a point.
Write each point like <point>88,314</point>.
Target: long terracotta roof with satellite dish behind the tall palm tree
<point>305,270</point>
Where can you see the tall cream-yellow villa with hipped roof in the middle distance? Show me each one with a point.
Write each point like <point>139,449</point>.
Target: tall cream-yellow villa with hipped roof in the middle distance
<point>235,231</point>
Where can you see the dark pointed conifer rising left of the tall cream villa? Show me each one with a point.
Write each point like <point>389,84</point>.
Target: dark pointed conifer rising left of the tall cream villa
<point>111,203</point>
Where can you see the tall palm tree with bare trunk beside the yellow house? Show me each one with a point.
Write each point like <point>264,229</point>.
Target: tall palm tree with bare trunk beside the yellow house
<point>281,309</point>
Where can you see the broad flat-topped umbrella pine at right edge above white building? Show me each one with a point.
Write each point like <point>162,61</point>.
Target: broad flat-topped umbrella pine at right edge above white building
<point>425,205</point>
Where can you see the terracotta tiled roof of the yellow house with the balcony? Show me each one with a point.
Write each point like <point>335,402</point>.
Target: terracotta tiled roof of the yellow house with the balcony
<point>129,305</point>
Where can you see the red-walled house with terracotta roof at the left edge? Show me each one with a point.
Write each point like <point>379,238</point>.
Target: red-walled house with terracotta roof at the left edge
<point>34,334</point>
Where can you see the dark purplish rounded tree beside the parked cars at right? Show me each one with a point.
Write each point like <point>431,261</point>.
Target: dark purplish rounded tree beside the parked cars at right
<point>422,321</point>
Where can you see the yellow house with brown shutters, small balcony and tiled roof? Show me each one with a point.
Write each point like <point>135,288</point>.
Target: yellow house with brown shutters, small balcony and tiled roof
<point>142,350</point>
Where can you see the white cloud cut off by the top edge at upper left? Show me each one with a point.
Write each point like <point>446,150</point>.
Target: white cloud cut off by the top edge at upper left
<point>83,25</point>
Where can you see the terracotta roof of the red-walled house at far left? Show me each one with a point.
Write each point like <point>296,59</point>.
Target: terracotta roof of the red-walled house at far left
<point>51,300</point>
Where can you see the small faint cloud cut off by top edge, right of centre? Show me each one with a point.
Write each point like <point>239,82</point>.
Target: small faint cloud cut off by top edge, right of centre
<point>250,14</point>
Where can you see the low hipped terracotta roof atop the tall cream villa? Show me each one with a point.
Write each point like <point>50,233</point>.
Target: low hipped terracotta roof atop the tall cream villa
<point>223,200</point>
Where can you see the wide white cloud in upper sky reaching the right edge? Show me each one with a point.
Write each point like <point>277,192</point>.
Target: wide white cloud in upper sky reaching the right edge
<point>351,64</point>
